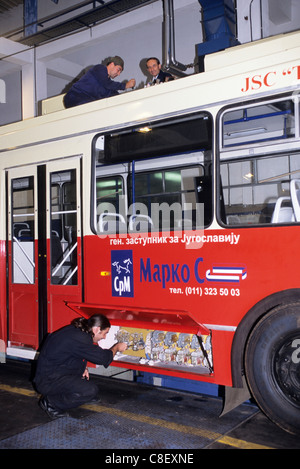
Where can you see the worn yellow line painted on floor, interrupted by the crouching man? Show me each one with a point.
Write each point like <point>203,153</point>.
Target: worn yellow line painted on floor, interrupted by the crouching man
<point>201,432</point>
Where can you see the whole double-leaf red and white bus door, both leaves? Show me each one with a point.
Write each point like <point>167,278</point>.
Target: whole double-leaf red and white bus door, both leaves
<point>44,245</point>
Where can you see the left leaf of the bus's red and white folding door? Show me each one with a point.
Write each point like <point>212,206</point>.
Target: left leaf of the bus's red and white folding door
<point>23,256</point>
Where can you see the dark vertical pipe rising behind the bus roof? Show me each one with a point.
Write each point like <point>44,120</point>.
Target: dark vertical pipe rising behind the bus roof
<point>170,63</point>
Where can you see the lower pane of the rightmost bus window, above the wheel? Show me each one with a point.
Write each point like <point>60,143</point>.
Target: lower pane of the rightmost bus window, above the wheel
<point>258,190</point>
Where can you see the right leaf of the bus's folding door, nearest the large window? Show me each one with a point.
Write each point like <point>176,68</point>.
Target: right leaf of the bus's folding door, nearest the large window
<point>63,240</point>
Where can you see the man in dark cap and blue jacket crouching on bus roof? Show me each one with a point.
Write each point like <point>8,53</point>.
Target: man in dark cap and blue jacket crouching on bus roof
<point>98,83</point>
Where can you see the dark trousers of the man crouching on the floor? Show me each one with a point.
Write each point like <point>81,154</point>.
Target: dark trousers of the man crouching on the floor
<point>68,392</point>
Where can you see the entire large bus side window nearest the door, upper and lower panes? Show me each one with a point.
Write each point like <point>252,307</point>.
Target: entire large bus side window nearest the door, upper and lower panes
<point>151,186</point>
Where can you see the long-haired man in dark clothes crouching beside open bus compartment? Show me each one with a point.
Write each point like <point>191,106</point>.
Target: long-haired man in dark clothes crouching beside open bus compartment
<point>61,375</point>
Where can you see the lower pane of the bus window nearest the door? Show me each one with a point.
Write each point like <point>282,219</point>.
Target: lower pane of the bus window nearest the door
<point>161,199</point>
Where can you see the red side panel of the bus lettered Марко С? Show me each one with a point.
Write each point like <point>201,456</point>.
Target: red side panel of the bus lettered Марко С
<point>168,276</point>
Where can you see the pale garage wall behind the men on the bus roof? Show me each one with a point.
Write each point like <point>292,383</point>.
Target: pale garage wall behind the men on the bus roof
<point>47,69</point>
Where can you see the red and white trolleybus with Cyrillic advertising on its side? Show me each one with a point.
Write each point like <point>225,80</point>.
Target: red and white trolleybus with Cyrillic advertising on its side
<point>173,210</point>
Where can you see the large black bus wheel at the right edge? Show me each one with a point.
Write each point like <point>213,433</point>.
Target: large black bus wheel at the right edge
<point>272,365</point>
